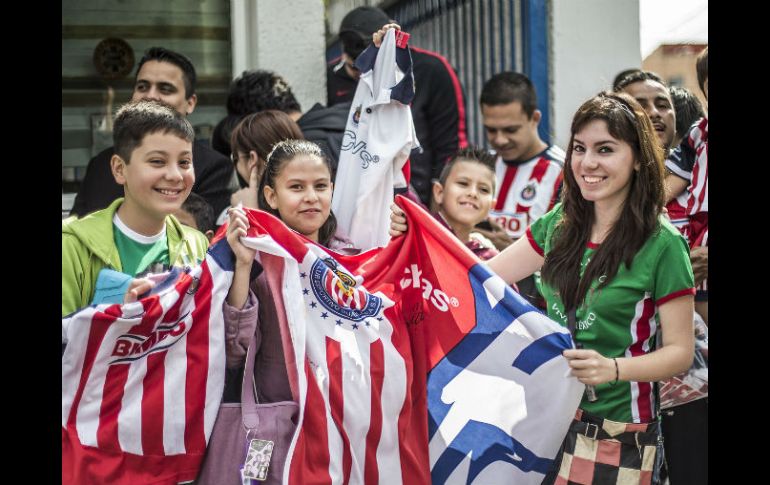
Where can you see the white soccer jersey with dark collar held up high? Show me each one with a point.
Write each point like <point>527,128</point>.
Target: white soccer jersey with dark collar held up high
<point>379,136</point>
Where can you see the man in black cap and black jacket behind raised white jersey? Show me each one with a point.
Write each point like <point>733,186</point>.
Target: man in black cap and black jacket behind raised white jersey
<point>438,107</point>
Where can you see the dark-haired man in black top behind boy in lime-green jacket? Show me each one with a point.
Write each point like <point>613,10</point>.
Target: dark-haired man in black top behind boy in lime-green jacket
<point>169,77</point>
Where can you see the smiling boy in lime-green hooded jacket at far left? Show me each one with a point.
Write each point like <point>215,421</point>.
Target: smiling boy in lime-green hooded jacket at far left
<point>136,234</point>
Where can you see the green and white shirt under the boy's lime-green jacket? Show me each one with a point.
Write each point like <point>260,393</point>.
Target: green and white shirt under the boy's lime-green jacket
<point>138,253</point>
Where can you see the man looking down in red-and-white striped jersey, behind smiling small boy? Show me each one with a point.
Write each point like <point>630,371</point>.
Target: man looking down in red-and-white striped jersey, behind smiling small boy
<point>528,170</point>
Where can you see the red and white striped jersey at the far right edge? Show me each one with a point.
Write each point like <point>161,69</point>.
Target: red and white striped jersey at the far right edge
<point>690,161</point>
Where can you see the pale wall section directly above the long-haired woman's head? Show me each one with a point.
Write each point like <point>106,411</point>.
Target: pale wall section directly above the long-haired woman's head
<point>592,40</point>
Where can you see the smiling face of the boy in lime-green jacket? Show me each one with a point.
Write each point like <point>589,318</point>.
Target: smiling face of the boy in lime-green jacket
<point>156,181</point>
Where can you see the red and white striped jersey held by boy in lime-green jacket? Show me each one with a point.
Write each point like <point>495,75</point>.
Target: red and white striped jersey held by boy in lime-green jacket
<point>142,382</point>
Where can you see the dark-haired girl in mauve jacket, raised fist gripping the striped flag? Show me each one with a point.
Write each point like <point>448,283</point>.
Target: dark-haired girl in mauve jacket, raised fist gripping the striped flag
<point>296,187</point>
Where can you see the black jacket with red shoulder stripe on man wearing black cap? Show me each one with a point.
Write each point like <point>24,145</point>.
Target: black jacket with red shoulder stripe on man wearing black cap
<point>438,111</point>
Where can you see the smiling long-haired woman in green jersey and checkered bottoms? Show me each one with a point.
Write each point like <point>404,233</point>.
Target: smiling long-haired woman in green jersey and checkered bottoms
<point>615,272</point>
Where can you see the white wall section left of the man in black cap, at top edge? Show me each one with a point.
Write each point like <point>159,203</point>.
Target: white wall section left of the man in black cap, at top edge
<point>286,37</point>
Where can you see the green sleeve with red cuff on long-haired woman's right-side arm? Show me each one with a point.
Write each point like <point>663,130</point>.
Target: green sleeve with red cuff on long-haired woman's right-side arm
<point>673,273</point>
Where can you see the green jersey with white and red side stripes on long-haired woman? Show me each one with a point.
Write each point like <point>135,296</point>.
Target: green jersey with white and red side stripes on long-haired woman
<point>621,319</point>
